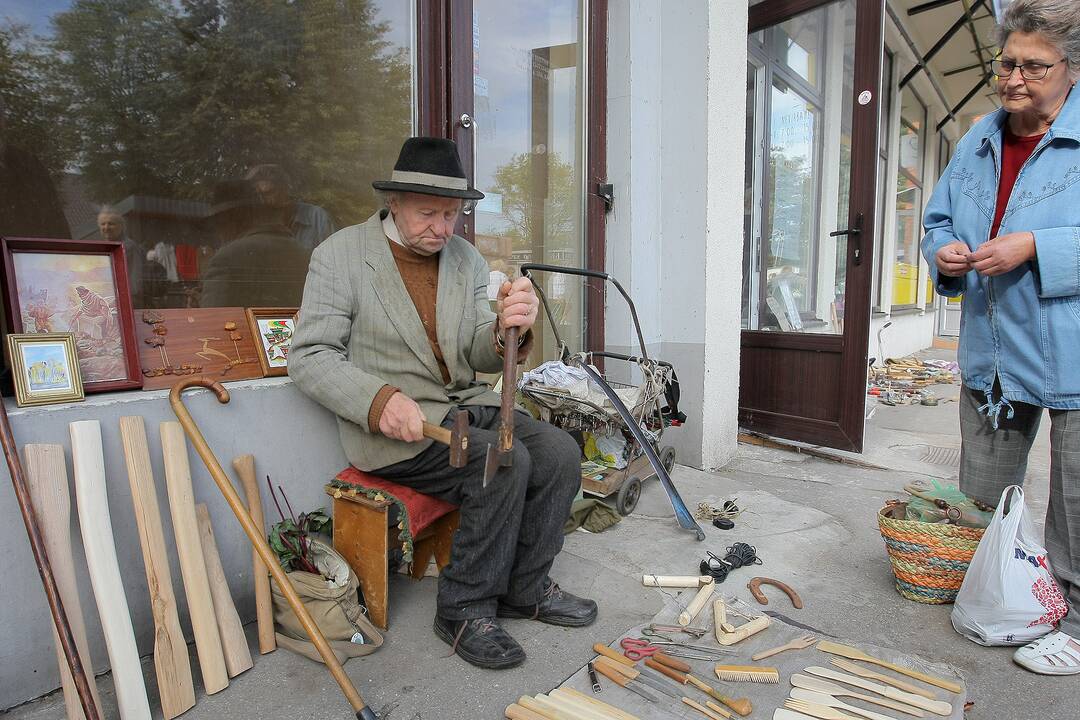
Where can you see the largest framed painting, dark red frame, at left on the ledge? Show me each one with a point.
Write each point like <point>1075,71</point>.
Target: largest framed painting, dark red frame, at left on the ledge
<point>79,288</point>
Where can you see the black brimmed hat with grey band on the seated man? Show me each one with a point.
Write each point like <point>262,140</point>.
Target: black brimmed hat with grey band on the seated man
<point>430,167</point>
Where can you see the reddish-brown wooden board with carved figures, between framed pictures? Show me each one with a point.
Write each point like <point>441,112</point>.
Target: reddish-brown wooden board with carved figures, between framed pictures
<point>197,338</point>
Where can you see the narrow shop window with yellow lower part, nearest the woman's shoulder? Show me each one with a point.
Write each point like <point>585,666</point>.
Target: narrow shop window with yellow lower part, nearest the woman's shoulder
<point>909,199</point>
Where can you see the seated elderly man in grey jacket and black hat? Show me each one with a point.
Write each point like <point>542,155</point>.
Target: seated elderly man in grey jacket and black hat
<point>395,327</point>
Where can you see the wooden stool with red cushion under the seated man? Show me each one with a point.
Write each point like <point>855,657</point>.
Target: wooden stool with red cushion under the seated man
<point>362,536</point>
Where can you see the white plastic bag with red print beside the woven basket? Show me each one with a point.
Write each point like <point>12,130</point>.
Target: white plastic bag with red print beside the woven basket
<point>1009,596</point>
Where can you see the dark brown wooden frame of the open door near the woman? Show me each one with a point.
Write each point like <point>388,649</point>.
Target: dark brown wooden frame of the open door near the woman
<point>847,431</point>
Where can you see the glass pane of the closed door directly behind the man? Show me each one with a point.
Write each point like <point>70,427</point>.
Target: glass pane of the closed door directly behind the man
<point>526,131</point>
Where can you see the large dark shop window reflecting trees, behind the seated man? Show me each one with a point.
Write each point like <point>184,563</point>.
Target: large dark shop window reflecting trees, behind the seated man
<point>222,142</point>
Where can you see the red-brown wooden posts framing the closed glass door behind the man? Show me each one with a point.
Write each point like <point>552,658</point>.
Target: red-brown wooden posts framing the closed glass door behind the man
<point>444,62</point>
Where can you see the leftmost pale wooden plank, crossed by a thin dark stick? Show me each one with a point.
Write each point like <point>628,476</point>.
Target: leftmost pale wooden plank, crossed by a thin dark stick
<point>47,471</point>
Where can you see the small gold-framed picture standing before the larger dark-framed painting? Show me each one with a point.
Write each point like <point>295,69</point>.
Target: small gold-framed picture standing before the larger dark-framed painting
<point>46,369</point>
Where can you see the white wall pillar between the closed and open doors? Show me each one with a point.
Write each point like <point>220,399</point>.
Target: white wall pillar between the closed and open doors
<point>676,137</point>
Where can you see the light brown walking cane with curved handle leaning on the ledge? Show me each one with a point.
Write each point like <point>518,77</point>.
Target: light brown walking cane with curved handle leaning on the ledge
<point>255,535</point>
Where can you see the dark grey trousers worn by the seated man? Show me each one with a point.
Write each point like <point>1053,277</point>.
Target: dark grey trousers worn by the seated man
<point>511,531</point>
